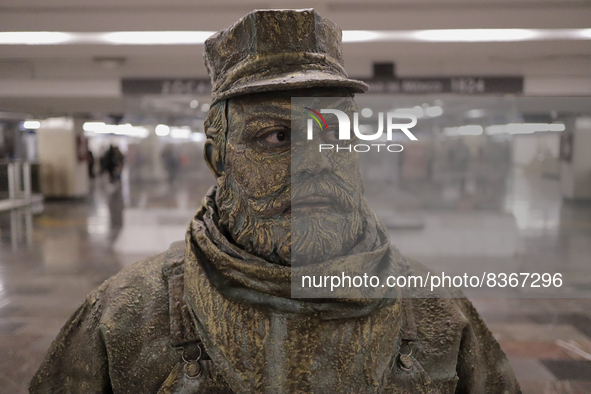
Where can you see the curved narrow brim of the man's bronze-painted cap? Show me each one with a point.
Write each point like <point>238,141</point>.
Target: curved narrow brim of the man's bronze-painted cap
<point>295,80</point>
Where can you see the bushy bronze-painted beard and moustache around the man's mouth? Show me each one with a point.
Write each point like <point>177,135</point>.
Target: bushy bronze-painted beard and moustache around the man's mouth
<point>268,227</point>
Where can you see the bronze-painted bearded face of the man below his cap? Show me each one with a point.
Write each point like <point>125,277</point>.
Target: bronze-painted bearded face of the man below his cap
<point>279,197</point>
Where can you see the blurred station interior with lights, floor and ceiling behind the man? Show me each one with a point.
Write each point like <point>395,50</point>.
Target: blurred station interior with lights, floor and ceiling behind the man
<point>101,135</point>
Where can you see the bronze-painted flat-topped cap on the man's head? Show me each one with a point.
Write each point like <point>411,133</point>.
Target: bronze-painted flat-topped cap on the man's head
<point>271,50</point>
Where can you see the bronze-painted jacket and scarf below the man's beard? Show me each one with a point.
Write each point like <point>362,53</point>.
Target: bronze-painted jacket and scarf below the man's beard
<point>213,319</point>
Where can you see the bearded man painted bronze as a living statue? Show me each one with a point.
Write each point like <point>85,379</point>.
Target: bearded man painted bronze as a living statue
<point>215,313</point>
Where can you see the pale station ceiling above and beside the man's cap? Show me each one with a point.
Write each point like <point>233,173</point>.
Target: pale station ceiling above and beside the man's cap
<point>68,79</point>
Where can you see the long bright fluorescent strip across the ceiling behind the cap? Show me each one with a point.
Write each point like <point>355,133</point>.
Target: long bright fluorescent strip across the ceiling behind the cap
<point>349,36</point>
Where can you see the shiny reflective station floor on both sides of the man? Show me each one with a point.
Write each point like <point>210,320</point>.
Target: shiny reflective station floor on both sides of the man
<point>52,256</point>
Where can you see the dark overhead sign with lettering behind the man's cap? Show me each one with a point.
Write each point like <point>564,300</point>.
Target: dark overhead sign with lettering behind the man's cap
<point>423,85</point>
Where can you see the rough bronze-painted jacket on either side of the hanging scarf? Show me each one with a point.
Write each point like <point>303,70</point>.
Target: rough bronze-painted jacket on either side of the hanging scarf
<point>130,334</point>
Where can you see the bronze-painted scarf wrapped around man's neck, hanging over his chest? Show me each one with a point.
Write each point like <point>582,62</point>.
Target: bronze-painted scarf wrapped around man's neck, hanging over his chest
<point>263,340</point>
